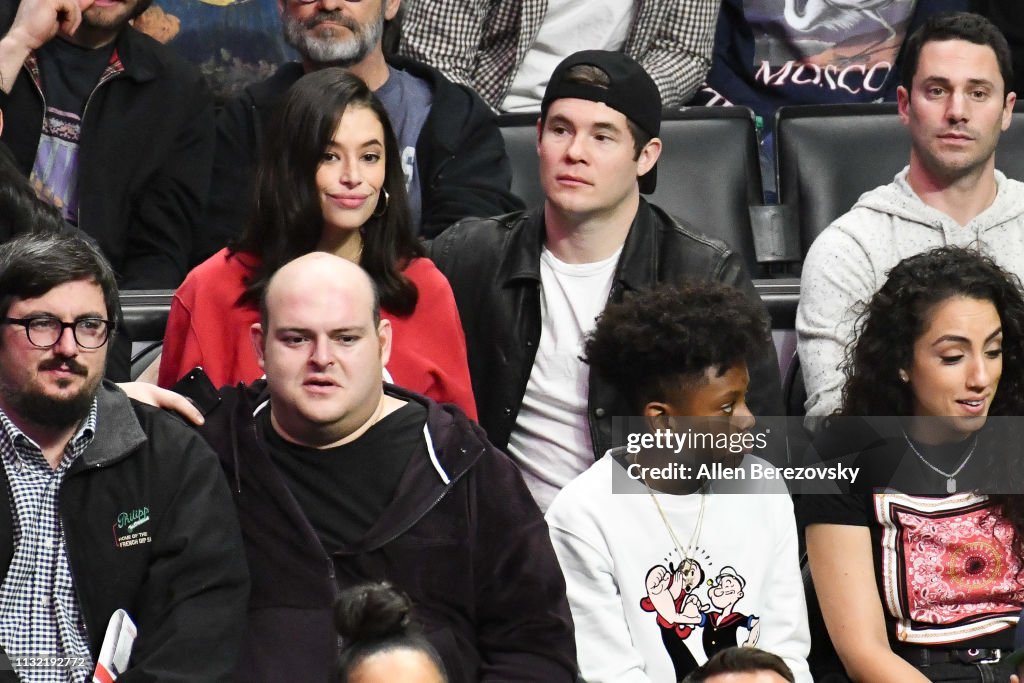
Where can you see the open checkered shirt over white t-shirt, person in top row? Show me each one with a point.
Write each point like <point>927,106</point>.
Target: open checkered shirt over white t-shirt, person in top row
<point>482,44</point>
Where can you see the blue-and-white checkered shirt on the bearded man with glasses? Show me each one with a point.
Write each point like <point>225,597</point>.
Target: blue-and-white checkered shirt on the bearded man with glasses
<point>39,611</point>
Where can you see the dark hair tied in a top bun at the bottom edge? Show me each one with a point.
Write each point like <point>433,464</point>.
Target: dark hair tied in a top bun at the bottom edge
<point>374,619</point>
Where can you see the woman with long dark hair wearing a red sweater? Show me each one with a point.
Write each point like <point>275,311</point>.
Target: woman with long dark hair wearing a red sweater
<point>330,180</point>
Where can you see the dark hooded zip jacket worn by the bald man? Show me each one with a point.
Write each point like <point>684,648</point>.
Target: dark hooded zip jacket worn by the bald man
<point>462,537</point>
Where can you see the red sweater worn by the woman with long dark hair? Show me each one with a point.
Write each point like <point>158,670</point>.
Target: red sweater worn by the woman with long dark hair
<point>207,328</point>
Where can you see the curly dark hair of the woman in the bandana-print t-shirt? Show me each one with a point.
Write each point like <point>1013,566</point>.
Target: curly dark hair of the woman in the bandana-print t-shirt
<point>898,316</point>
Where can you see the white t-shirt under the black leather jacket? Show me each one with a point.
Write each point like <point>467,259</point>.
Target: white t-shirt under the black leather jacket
<point>551,439</point>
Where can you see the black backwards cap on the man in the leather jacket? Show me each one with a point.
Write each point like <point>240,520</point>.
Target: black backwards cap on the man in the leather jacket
<point>631,92</point>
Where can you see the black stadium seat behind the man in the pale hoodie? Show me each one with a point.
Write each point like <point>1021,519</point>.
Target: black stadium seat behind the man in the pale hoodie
<point>829,155</point>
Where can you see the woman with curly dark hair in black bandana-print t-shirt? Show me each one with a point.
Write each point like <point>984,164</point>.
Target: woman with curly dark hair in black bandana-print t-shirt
<point>920,576</point>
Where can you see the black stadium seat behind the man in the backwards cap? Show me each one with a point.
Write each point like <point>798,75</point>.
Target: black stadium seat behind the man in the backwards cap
<point>708,177</point>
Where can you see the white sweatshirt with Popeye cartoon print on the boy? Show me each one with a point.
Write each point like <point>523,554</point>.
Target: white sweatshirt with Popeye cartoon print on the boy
<point>611,545</point>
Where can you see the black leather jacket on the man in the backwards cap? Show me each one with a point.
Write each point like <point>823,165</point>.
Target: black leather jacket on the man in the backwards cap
<point>494,266</point>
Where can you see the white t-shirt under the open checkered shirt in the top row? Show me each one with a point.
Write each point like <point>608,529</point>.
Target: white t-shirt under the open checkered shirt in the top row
<point>570,26</point>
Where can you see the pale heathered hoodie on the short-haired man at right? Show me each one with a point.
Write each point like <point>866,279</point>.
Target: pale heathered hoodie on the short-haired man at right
<point>851,260</point>
